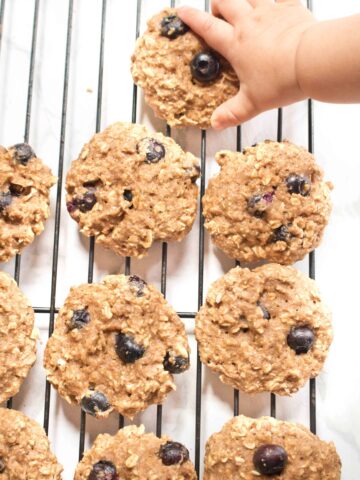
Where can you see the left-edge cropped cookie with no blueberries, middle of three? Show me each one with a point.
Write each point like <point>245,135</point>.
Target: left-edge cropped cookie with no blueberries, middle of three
<point>17,337</point>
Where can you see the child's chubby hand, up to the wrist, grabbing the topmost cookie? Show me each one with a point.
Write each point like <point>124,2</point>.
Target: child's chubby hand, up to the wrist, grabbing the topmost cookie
<point>260,39</point>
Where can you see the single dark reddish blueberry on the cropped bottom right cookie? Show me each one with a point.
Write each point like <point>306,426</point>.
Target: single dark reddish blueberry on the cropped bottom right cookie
<point>270,459</point>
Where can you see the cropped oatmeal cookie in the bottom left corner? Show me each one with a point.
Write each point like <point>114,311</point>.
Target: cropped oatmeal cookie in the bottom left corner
<point>25,449</point>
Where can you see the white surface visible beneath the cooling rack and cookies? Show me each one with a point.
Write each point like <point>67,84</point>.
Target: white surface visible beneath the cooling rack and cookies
<point>337,260</point>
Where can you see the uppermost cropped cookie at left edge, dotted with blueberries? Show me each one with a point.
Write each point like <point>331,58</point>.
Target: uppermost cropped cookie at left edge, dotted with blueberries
<point>25,184</point>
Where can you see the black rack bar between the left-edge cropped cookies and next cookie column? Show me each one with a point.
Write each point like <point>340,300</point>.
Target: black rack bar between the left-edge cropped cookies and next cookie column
<point>58,198</point>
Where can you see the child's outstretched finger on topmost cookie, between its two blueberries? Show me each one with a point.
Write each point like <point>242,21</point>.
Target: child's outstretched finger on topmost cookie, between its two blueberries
<point>216,32</point>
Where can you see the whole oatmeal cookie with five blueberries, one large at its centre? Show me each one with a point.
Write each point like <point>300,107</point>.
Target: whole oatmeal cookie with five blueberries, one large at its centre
<point>115,346</point>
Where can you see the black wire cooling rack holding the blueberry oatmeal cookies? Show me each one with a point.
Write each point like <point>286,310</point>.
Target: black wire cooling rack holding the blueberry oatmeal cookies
<point>52,310</point>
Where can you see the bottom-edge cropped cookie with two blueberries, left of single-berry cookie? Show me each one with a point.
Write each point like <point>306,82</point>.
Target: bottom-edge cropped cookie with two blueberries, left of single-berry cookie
<point>133,454</point>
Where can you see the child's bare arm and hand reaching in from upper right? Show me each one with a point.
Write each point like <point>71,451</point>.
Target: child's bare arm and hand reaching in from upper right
<point>280,53</point>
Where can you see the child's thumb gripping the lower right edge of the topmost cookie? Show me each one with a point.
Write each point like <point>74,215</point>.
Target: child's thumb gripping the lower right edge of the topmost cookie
<point>234,111</point>
